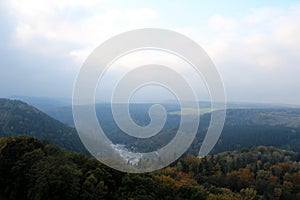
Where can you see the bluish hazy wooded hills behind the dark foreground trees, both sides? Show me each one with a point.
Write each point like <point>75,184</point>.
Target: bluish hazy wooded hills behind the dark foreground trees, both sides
<point>244,128</point>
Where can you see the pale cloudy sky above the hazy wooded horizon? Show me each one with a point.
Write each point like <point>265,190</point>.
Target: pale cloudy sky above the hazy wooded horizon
<point>254,44</point>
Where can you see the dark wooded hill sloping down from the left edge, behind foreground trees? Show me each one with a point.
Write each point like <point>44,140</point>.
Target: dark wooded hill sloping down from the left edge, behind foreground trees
<point>18,118</point>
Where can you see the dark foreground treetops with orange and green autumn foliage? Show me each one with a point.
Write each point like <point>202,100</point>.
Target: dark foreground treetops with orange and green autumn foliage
<point>31,169</point>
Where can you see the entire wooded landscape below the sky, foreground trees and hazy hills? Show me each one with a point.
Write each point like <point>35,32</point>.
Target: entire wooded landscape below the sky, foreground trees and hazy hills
<point>256,157</point>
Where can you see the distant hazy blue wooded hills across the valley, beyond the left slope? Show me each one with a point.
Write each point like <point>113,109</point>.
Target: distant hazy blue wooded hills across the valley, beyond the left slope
<point>269,125</point>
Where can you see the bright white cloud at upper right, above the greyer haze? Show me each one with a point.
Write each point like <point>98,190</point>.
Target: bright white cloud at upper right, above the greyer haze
<point>261,44</point>
